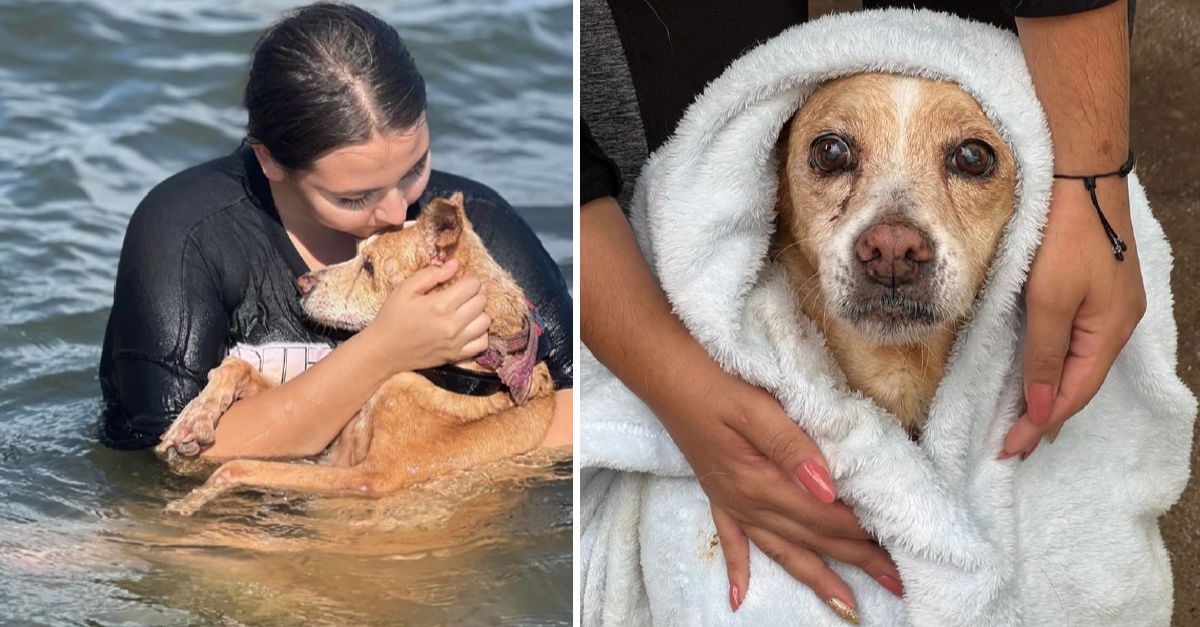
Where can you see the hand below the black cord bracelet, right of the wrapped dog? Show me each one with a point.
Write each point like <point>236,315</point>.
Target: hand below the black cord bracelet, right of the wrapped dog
<point>1083,307</point>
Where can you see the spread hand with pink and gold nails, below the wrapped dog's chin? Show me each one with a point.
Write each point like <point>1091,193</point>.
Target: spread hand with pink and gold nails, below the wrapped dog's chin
<point>767,483</point>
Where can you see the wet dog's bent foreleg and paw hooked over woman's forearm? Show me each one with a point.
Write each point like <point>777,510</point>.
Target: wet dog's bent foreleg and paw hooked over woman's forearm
<point>196,426</point>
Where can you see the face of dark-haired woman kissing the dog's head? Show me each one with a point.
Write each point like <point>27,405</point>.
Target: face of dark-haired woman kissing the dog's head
<point>365,188</point>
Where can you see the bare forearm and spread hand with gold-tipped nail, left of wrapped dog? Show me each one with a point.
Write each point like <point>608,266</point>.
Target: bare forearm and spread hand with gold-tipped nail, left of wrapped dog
<point>766,480</point>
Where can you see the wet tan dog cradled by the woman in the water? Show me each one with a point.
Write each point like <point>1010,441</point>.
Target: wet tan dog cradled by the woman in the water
<point>411,429</point>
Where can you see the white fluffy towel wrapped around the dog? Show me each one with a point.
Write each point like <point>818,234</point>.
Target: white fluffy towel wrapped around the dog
<point>1069,538</point>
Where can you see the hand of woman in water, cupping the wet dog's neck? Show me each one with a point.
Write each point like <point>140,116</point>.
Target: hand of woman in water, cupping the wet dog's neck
<point>419,327</point>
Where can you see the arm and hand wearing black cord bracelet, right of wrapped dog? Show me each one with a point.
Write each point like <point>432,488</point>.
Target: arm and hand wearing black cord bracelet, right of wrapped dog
<point>1083,303</point>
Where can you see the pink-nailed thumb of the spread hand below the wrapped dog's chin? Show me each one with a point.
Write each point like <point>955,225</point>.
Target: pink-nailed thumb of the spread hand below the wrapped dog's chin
<point>777,437</point>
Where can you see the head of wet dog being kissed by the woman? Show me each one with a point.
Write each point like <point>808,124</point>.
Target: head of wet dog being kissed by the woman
<point>347,296</point>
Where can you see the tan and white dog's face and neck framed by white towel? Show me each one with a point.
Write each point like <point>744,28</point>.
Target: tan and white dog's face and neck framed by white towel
<point>893,195</point>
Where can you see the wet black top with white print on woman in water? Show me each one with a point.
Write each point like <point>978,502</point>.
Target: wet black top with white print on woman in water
<point>207,267</point>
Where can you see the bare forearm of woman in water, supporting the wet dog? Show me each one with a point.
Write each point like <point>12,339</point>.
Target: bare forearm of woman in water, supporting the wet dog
<point>303,416</point>
